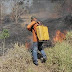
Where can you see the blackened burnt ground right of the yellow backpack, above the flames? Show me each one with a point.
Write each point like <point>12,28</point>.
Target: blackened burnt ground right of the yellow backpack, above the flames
<point>62,24</point>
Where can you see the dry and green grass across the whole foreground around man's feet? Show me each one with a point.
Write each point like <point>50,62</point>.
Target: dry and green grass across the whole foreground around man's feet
<point>59,58</point>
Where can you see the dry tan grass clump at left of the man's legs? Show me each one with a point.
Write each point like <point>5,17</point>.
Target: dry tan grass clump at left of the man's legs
<point>17,60</point>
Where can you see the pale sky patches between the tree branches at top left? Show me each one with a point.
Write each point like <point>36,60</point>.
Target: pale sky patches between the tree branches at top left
<point>9,5</point>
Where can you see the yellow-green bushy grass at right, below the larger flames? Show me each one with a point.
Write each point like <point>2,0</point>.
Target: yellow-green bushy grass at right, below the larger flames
<point>60,56</point>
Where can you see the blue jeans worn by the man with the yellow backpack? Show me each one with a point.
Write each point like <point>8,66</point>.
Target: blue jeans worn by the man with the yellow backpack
<point>37,46</point>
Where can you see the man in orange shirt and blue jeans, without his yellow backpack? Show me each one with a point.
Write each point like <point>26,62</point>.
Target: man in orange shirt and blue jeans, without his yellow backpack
<point>36,44</point>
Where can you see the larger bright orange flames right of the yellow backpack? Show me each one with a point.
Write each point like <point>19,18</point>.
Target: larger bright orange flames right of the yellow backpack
<point>59,36</point>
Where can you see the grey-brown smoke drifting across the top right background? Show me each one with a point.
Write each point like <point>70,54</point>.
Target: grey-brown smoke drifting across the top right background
<point>52,8</point>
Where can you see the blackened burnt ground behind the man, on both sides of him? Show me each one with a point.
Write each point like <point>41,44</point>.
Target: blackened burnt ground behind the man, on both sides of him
<point>21,34</point>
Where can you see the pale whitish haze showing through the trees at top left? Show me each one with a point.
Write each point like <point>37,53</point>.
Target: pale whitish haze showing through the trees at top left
<point>8,5</point>
